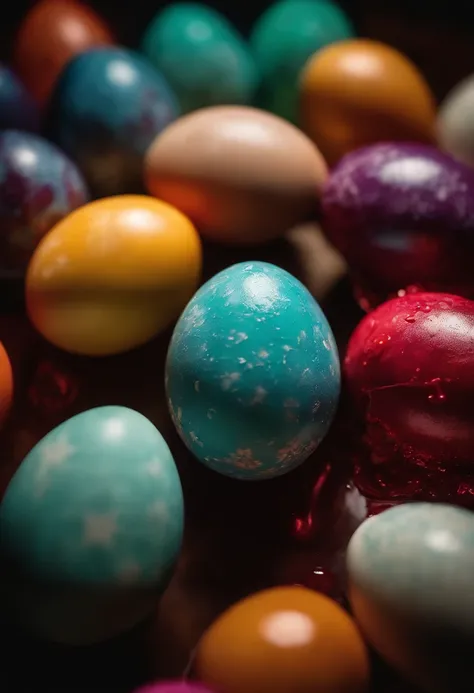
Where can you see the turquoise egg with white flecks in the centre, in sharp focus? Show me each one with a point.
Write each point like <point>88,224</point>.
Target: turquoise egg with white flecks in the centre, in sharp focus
<point>252,373</point>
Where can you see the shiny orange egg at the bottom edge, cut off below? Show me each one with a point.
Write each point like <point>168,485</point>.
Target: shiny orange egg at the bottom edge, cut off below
<point>284,640</point>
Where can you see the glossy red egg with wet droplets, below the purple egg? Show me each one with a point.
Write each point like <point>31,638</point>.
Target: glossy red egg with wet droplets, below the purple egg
<point>409,367</point>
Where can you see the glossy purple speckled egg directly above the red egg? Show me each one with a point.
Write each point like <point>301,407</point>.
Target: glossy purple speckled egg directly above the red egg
<point>403,217</point>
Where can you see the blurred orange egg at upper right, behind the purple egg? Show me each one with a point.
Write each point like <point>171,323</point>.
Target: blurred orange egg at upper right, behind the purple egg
<point>357,92</point>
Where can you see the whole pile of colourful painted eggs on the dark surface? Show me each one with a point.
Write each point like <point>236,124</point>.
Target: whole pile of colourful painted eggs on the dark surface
<point>119,169</point>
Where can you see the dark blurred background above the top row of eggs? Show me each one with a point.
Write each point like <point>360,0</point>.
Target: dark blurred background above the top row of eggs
<point>437,34</point>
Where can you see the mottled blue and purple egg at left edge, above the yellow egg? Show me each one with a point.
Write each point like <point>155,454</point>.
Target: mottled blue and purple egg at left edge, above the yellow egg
<point>39,186</point>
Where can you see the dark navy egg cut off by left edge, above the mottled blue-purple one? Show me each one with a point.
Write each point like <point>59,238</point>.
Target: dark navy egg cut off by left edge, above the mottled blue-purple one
<point>17,108</point>
